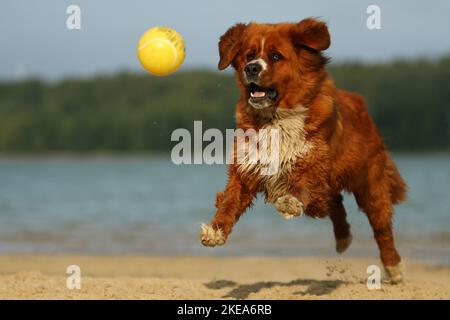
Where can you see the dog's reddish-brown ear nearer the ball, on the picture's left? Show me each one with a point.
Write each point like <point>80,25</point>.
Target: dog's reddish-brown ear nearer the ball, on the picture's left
<point>229,44</point>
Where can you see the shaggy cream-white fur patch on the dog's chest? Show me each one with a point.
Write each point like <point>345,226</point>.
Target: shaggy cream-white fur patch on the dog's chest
<point>291,145</point>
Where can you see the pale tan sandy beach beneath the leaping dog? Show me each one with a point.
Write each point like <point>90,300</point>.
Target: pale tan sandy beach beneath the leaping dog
<point>131,277</point>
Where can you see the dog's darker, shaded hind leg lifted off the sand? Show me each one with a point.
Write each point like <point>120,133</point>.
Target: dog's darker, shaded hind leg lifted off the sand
<point>341,227</point>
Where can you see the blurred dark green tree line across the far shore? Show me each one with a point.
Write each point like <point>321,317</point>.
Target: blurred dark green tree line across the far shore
<point>409,100</point>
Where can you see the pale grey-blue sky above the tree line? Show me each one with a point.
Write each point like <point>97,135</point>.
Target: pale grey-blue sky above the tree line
<point>34,39</point>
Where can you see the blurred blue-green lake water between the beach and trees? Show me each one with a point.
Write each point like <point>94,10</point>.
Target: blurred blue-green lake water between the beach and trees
<point>147,205</point>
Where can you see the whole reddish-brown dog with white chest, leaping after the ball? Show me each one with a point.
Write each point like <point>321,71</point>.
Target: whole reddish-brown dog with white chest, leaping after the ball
<point>329,143</point>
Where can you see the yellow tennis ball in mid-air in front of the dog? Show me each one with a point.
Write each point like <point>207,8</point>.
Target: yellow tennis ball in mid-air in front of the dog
<point>161,51</point>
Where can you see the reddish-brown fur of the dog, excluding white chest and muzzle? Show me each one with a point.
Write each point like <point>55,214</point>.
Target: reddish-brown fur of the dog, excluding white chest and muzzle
<point>348,154</point>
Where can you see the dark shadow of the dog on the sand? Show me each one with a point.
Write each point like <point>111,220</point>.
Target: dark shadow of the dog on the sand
<point>242,291</point>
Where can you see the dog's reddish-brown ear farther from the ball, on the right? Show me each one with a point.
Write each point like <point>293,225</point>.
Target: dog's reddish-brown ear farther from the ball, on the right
<point>311,33</point>
